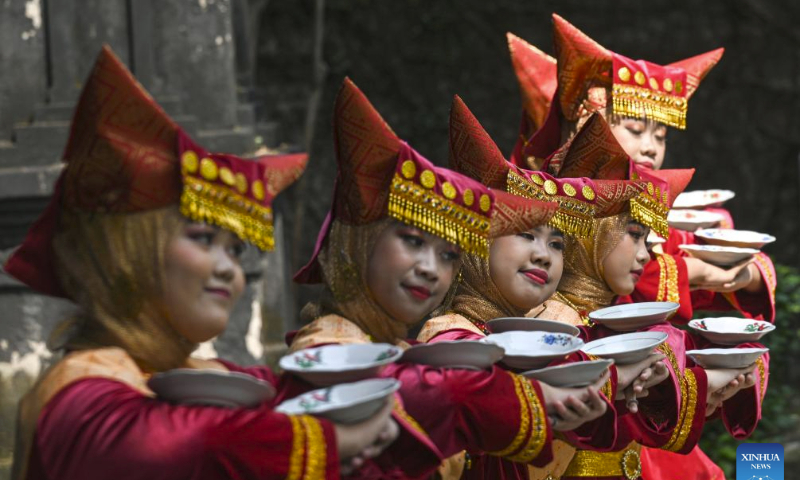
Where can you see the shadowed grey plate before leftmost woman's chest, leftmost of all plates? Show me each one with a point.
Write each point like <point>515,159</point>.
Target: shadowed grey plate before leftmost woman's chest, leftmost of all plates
<point>189,386</point>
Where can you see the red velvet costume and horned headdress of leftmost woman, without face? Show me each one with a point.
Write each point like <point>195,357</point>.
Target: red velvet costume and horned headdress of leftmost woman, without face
<point>92,415</point>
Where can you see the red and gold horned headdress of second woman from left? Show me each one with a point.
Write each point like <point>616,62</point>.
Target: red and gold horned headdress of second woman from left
<point>381,176</point>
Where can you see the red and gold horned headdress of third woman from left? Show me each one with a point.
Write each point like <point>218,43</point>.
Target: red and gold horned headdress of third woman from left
<point>580,198</point>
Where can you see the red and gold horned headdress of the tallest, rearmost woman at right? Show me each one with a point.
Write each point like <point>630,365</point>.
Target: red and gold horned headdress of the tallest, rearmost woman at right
<point>590,76</point>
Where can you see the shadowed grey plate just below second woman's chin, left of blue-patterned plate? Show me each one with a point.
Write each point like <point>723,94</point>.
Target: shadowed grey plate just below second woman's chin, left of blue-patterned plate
<point>469,354</point>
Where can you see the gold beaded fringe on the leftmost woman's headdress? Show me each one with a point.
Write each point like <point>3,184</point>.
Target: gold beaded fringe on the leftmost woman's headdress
<point>210,203</point>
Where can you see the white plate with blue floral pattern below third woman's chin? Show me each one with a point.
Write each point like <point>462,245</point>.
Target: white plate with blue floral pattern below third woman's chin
<point>529,350</point>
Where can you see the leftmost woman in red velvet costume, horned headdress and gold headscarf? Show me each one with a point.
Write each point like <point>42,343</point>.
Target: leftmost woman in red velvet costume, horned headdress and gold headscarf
<point>144,232</point>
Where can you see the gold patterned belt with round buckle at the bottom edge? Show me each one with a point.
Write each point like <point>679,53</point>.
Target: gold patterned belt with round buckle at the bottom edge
<point>623,463</point>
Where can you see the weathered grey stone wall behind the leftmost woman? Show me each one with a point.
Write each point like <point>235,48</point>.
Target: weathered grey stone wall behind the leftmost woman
<point>184,52</point>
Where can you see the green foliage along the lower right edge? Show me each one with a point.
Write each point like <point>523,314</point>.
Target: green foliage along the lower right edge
<point>780,419</point>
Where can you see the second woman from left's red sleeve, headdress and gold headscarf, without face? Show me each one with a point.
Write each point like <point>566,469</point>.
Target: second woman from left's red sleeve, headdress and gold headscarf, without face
<point>380,178</point>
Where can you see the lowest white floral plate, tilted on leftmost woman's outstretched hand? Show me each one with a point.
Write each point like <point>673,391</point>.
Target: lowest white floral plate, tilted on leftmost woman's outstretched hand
<point>345,403</point>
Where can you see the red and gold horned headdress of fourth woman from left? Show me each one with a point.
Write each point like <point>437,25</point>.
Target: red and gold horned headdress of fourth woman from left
<point>595,152</point>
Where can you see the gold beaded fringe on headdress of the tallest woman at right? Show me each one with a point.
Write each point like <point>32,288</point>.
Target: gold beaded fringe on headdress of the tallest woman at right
<point>638,102</point>
